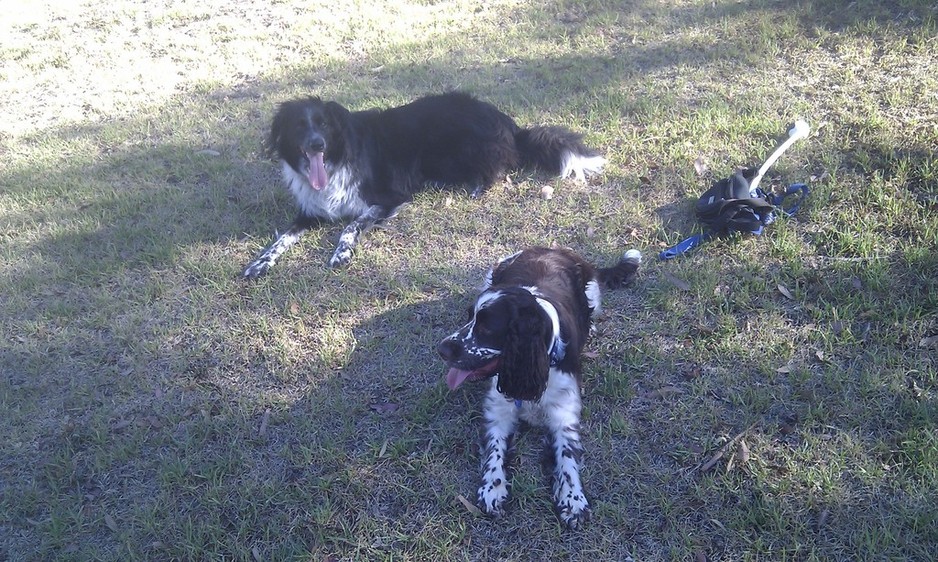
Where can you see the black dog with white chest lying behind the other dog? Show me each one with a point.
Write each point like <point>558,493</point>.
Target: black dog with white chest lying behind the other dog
<point>364,165</point>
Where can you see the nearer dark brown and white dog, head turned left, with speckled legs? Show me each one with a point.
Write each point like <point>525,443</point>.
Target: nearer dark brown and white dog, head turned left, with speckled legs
<point>527,333</point>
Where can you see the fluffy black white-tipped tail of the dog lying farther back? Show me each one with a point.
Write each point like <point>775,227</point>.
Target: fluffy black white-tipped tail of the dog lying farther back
<point>558,151</point>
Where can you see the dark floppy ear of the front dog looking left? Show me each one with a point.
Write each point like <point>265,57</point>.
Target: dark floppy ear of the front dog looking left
<point>525,366</point>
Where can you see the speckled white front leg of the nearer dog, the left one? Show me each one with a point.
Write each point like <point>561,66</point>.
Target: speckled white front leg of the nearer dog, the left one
<point>501,420</point>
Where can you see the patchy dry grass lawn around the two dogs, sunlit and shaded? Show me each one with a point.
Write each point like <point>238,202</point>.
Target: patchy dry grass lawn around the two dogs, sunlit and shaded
<point>763,398</point>
